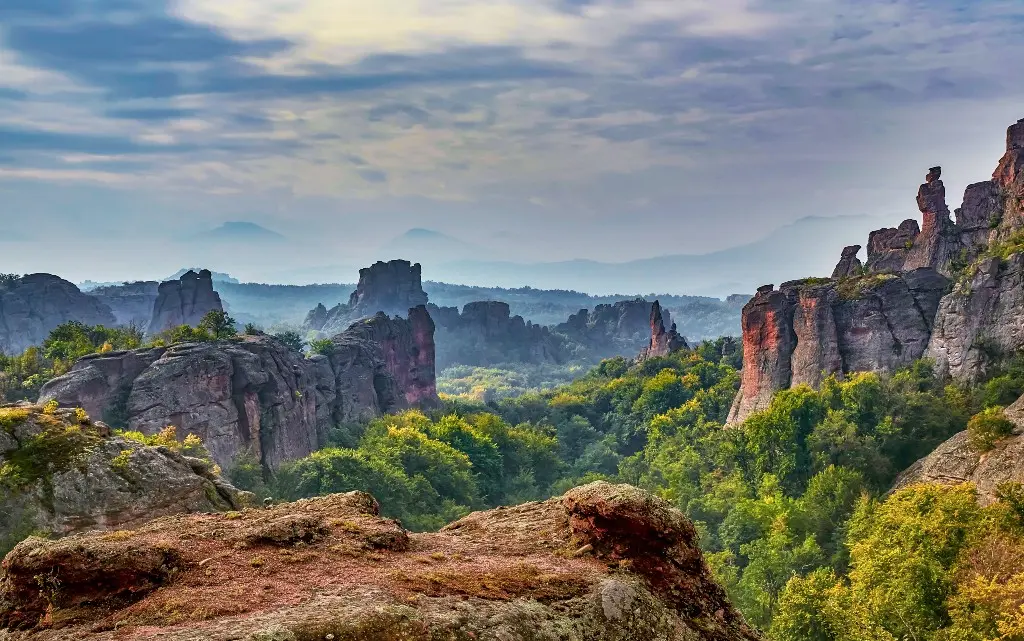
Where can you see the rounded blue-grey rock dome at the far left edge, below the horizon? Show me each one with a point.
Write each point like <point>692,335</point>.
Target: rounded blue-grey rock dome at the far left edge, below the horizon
<point>33,306</point>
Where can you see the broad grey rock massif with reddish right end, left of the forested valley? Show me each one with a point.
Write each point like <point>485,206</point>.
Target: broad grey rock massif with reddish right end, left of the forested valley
<point>254,395</point>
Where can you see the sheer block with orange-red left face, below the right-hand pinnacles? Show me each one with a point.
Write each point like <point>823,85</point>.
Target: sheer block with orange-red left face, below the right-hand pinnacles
<point>806,331</point>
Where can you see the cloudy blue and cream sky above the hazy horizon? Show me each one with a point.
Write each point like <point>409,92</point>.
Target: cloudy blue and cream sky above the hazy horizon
<point>534,130</point>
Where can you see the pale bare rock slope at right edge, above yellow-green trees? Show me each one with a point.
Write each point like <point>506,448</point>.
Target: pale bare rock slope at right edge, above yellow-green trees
<point>957,462</point>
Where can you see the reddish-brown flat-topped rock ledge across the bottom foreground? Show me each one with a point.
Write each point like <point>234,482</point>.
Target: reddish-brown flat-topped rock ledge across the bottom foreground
<point>604,563</point>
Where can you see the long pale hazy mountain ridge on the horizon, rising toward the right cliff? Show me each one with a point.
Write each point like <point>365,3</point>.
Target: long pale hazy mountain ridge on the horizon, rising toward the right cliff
<point>808,247</point>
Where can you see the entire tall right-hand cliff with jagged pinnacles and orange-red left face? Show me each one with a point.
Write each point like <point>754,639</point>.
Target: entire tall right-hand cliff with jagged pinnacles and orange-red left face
<point>905,308</point>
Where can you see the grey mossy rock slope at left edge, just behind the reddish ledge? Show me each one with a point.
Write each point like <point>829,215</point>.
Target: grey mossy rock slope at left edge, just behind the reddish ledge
<point>63,474</point>
